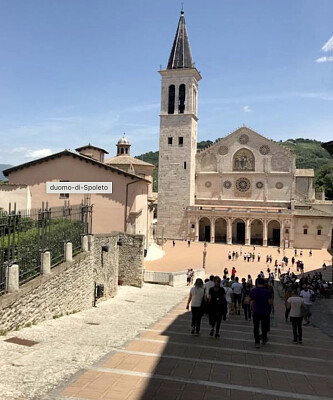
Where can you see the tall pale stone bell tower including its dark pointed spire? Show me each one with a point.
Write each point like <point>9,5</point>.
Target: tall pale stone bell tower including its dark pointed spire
<point>178,137</point>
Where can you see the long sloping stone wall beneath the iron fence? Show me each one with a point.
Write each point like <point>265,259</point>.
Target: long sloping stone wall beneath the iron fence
<point>69,288</point>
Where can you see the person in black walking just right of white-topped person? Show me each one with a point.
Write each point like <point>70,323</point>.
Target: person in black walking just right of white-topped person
<point>217,306</point>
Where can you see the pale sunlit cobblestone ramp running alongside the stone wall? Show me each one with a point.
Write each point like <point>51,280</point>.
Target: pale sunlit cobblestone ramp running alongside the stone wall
<point>71,343</point>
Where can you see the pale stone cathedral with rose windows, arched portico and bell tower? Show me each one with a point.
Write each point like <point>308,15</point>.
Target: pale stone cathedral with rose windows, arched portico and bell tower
<point>245,188</point>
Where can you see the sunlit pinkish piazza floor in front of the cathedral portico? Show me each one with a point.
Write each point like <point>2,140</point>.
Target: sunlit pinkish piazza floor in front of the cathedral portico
<point>182,257</point>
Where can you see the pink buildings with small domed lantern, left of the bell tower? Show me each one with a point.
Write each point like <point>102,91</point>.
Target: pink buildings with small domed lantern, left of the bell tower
<point>127,209</point>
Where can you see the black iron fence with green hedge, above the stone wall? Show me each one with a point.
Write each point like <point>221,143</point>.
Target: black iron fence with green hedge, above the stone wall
<point>25,235</point>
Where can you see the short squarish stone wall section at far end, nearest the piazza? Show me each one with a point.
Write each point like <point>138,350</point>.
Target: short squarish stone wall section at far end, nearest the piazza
<point>131,259</point>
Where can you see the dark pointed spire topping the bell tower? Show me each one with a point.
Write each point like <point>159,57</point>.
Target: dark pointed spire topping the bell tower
<point>180,56</point>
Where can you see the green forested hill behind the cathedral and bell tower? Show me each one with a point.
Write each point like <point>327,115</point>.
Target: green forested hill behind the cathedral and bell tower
<point>309,154</point>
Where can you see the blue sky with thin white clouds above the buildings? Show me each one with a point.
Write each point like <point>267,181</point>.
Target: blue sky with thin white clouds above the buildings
<point>79,71</point>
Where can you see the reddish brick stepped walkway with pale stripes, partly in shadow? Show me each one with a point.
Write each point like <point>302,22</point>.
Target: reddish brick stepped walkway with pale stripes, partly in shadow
<point>165,362</point>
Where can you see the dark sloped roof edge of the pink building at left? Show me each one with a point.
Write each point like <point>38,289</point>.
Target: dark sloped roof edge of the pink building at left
<point>74,155</point>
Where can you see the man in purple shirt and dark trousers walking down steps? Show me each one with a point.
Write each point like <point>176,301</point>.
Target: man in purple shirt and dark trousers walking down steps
<point>261,302</point>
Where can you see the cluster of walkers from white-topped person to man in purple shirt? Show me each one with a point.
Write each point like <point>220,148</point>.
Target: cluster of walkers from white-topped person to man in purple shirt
<point>219,298</point>
